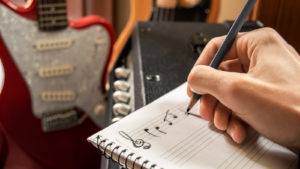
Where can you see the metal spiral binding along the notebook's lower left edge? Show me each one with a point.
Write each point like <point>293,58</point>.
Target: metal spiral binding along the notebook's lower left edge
<point>110,156</point>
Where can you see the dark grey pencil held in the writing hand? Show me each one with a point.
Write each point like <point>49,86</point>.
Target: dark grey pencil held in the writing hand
<point>227,43</point>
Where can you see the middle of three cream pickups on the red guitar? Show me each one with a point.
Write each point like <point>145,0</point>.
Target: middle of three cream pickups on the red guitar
<point>56,71</point>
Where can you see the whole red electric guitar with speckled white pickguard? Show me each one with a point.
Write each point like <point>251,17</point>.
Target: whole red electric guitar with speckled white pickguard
<point>54,70</point>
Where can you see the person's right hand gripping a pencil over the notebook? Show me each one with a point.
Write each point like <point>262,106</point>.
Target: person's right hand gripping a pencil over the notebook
<point>258,82</point>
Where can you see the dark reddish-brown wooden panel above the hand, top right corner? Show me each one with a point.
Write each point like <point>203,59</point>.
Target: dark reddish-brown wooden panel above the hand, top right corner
<point>284,16</point>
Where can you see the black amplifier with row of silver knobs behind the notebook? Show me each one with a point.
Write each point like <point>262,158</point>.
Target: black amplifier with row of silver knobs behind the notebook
<point>157,58</point>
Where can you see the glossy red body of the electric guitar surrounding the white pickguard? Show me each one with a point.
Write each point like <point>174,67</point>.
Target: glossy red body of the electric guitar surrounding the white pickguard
<point>65,149</point>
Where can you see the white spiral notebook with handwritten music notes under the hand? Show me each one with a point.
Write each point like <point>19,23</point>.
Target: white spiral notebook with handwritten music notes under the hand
<point>161,135</point>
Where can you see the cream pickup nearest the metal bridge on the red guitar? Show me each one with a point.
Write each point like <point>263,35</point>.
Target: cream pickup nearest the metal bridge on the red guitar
<point>58,96</point>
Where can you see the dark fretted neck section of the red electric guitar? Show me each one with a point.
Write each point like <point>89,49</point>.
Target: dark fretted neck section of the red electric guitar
<point>52,15</point>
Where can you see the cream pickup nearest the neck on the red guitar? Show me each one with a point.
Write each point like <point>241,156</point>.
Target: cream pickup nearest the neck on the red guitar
<point>44,45</point>
